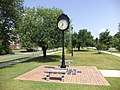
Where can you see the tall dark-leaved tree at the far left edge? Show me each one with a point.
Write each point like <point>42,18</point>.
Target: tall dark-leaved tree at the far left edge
<point>10,12</point>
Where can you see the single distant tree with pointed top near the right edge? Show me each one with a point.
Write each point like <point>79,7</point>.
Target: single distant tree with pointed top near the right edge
<point>105,38</point>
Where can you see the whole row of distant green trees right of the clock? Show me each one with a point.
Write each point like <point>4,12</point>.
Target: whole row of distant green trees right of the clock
<point>105,41</point>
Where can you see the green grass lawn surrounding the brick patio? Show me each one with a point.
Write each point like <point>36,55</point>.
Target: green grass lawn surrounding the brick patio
<point>101,61</point>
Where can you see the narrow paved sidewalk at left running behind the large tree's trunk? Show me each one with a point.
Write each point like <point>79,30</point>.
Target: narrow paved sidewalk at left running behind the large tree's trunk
<point>22,60</point>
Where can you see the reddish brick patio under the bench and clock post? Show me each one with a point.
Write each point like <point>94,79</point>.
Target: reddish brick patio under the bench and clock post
<point>88,75</point>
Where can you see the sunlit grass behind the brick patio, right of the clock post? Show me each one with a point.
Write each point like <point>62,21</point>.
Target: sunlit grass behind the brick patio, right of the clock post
<point>101,61</point>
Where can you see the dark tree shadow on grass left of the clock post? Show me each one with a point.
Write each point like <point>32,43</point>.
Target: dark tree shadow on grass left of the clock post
<point>49,58</point>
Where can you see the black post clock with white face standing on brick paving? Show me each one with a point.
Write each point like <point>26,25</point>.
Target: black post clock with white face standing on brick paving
<point>63,23</point>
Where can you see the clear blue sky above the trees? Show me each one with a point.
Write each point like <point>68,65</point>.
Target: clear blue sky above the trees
<point>94,15</point>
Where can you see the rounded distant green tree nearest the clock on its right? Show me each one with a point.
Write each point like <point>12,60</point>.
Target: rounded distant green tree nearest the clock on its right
<point>82,39</point>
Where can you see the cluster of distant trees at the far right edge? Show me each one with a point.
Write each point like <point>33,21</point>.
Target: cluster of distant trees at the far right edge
<point>107,41</point>
